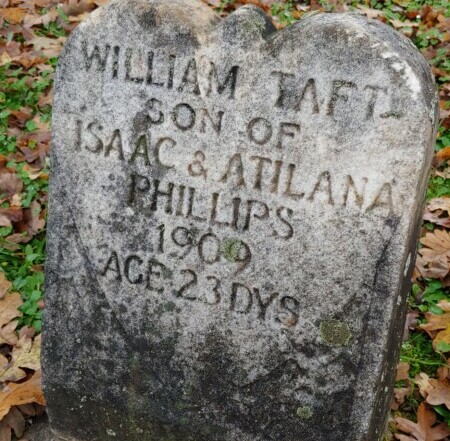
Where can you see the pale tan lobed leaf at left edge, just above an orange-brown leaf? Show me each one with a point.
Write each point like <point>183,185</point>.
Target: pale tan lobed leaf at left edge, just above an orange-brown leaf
<point>26,354</point>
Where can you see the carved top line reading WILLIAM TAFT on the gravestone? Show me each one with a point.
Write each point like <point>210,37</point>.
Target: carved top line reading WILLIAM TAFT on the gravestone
<point>203,77</point>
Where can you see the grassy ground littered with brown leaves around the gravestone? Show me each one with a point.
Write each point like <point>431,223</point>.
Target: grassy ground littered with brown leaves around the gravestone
<point>32,34</point>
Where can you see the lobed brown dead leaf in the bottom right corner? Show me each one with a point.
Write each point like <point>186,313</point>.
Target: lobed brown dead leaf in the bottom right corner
<point>425,428</point>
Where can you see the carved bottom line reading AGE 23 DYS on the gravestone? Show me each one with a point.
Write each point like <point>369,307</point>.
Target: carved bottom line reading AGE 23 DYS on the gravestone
<point>237,296</point>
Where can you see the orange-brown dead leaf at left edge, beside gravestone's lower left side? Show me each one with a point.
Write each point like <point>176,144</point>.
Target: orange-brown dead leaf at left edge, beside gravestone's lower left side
<point>14,394</point>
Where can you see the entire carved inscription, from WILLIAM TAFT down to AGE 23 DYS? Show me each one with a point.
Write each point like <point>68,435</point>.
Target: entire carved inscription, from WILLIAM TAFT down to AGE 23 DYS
<point>207,205</point>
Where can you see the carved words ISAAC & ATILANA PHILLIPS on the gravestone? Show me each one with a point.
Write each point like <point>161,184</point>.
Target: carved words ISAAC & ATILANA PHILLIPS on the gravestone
<point>242,171</point>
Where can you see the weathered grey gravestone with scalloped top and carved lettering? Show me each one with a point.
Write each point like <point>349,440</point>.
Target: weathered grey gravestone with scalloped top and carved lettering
<point>232,228</point>
